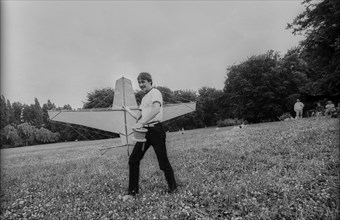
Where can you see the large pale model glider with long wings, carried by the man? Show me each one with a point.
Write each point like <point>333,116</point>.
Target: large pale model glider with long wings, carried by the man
<point>117,119</point>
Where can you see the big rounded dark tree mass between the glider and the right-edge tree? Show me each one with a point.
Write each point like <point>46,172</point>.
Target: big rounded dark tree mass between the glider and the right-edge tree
<point>257,89</point>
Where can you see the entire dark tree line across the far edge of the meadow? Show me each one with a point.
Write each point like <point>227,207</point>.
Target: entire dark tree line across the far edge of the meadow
<point>259,89</point>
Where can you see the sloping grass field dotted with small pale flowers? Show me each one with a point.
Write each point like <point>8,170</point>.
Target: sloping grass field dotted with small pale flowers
<point>279,170</point>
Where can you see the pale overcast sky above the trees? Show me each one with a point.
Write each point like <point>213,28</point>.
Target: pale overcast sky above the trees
<point>61,50</point>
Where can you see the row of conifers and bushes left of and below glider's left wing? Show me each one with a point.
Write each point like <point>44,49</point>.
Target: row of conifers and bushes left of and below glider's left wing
<point>23,125</point>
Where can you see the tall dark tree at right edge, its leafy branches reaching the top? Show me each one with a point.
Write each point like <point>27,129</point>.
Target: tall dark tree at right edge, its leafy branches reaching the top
<point>320,24</point>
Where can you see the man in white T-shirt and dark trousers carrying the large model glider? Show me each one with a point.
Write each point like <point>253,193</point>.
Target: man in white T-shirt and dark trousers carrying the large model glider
<point>150,117</point>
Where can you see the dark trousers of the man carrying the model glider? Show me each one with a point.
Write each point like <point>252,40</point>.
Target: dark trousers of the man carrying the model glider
<point>154,137</point>
